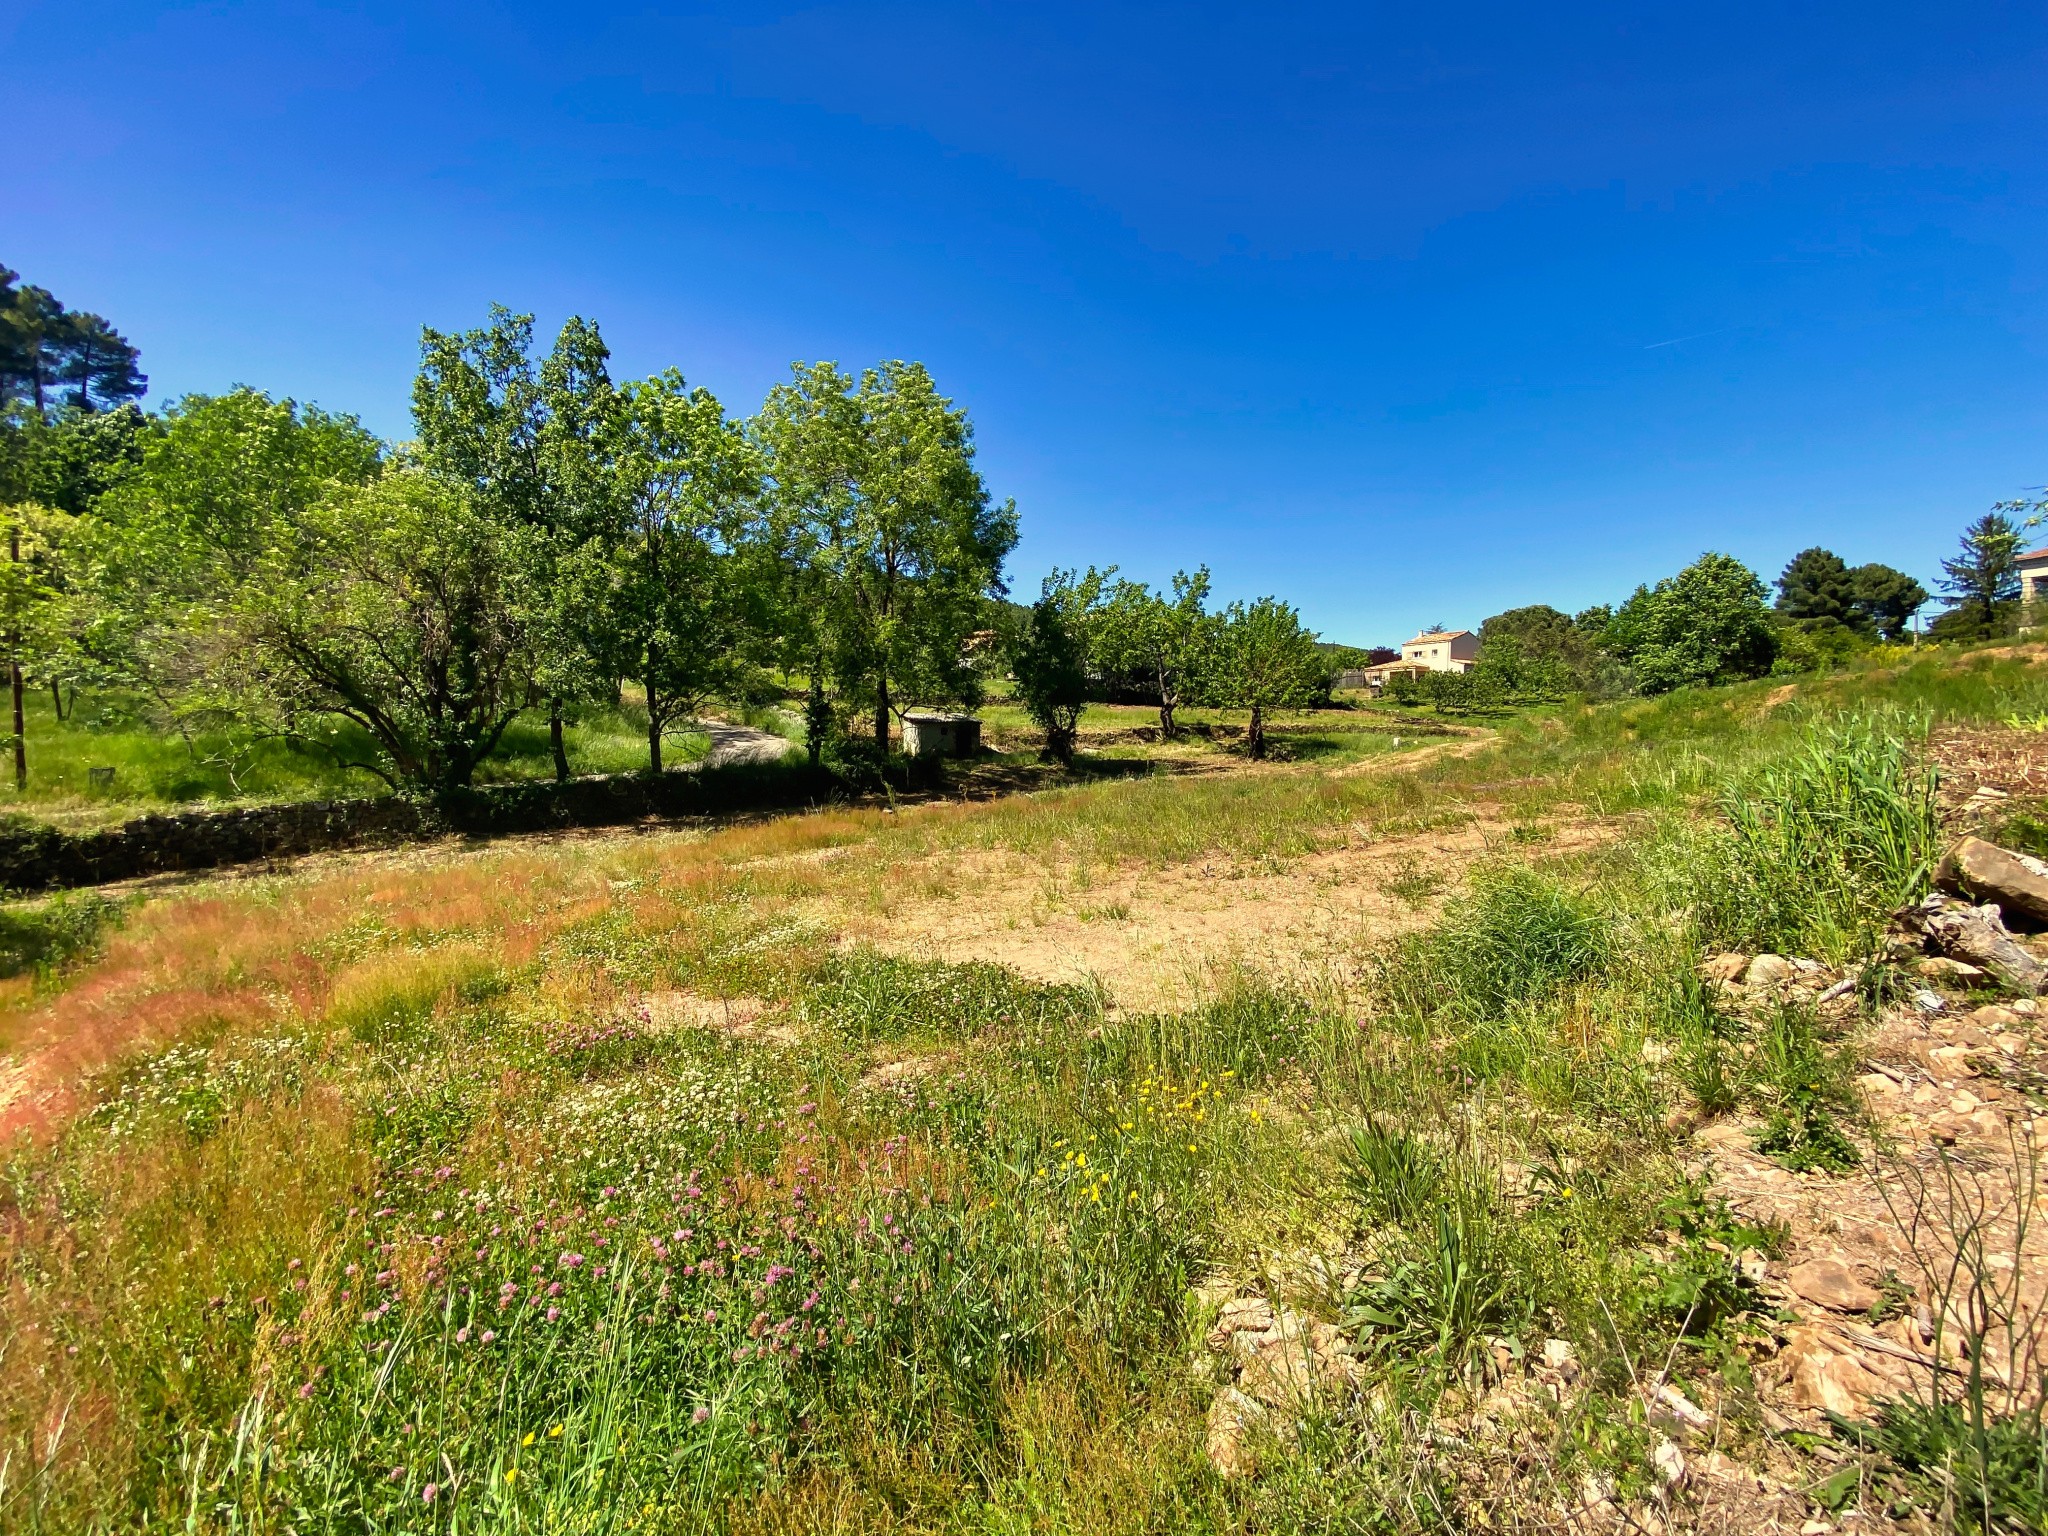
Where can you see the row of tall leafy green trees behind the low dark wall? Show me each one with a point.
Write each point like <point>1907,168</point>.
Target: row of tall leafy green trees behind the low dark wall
<point>550,536</point>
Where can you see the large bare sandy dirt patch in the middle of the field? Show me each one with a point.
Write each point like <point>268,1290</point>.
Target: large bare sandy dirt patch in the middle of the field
<point>1158,939</point>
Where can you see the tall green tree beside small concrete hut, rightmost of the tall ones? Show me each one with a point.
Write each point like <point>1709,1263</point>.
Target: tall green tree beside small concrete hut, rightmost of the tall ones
<point>900,548</point>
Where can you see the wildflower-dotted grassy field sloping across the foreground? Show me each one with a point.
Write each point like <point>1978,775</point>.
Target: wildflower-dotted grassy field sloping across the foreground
<point>771,1181</point>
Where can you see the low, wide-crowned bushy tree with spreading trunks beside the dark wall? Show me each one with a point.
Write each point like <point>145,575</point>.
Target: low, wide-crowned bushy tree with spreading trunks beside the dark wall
<point>390,605</point>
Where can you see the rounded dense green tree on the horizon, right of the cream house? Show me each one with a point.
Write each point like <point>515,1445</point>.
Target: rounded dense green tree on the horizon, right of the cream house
<point>1705,626</point>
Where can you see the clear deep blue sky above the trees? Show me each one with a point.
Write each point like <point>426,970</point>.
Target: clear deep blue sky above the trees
<point>1402,312</point>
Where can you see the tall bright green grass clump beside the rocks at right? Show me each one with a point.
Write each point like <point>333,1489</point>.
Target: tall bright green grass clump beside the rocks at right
<point>1826,841</point>
